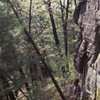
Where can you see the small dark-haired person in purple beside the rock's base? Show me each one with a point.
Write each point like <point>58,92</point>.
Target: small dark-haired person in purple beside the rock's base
<point>76,89</point>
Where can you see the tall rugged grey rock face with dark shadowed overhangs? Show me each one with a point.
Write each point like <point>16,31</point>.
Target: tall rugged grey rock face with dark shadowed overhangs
<point>87,54</point>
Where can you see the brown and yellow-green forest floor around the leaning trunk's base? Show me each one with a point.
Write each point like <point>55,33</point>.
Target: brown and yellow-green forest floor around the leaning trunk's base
<point>49,91</point>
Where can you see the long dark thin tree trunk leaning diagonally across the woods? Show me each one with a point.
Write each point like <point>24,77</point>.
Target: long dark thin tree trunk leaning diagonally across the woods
<point>38,53</point>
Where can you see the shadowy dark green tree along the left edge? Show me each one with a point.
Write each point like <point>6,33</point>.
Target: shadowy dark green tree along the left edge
<point>10,63</point>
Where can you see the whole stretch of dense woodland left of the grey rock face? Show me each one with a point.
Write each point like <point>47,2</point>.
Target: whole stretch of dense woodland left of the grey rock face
<point>23,71</point>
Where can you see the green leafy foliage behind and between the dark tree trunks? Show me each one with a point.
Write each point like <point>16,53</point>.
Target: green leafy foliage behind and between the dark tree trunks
<point>16,51</point>
